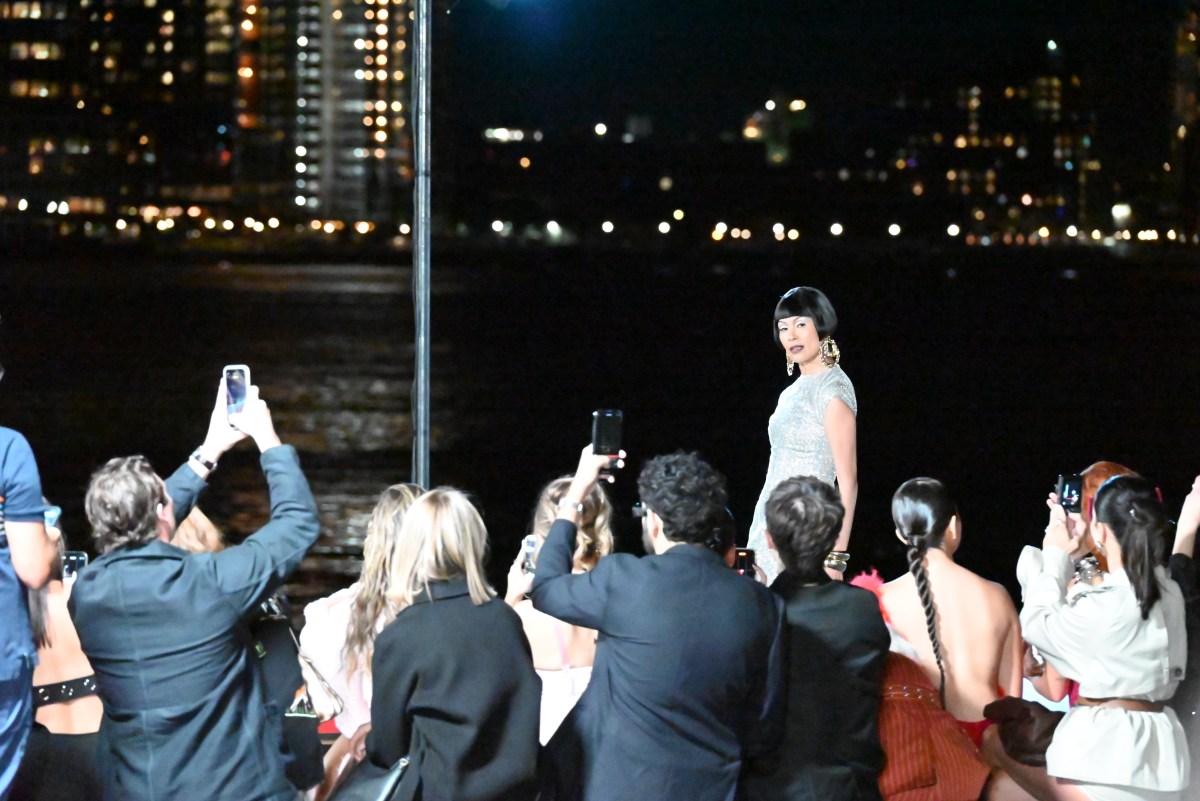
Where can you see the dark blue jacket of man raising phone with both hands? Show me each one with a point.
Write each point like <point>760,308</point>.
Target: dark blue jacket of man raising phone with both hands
<point>185,716</point>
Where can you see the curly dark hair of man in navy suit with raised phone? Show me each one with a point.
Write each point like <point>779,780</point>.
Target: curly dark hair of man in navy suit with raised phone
<point>688,495</point>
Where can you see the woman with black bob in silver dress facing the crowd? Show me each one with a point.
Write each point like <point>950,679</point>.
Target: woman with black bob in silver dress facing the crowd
<point>814,430</point>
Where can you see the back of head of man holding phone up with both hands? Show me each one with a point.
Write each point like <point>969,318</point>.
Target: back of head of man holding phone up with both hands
<point>123,504</point>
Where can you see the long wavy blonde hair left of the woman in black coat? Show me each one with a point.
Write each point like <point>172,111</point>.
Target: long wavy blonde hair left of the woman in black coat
<point>373,610</point>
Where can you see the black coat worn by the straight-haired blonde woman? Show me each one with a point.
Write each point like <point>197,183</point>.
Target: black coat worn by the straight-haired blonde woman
<point>457,692</point>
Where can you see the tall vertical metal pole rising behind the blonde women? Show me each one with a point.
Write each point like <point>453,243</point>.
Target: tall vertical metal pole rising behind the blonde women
<point>422,70</point>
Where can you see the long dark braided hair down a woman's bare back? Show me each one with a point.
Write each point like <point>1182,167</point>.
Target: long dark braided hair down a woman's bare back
<point>922,510</point>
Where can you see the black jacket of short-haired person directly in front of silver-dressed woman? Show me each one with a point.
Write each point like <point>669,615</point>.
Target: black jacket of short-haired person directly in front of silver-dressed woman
<point>831,749</point>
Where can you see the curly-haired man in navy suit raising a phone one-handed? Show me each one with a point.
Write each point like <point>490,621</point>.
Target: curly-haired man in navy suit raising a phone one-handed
<point>688,672</point>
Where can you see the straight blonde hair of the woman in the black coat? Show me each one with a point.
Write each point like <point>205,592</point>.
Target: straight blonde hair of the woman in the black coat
<point>443,538</point>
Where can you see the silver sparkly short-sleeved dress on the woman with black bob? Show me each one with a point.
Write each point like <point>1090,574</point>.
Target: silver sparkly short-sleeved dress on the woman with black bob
<point>799,448</point>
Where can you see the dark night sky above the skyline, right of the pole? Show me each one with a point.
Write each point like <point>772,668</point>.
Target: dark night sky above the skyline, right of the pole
<point>698,67</point>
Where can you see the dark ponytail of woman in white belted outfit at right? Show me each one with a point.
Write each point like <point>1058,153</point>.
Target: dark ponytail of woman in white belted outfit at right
<point>1130,507</point>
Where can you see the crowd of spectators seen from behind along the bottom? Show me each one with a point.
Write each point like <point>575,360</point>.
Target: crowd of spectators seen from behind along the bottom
<point>597,676</point>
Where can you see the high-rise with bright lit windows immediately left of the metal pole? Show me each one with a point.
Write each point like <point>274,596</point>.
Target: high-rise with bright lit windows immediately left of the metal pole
<point>353,152</point>
